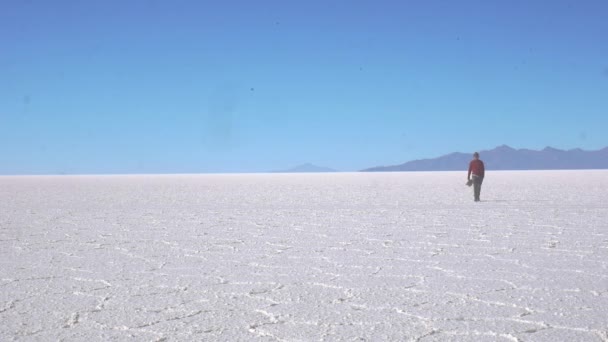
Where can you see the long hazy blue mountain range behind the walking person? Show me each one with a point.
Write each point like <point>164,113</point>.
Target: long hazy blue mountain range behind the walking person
<point>507,158</point>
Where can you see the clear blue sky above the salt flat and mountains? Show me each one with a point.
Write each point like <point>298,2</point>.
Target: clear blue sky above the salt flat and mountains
<point>250,86</point>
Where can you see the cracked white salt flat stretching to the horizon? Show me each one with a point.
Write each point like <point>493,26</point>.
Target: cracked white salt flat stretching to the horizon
<point>305,257</point>
